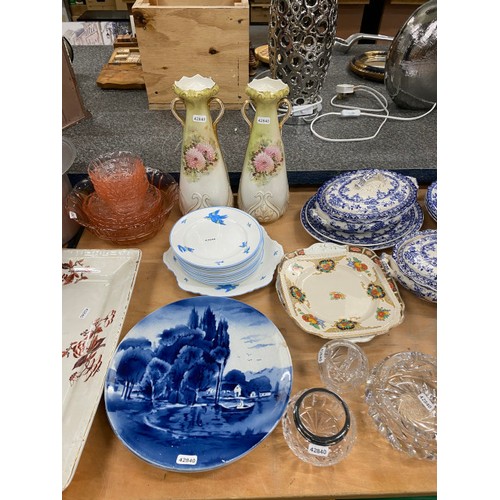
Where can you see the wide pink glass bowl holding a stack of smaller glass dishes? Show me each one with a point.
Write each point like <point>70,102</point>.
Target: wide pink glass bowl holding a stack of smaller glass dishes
<point>91,211</point>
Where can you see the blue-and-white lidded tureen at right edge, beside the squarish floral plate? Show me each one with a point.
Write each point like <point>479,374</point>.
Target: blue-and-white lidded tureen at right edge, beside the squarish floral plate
<point>413,263</point>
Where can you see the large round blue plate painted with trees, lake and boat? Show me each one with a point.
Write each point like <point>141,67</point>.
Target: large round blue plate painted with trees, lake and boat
<point>198,383</point>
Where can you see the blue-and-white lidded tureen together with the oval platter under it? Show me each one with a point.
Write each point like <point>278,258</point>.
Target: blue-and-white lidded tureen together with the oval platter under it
<point>371,208</point>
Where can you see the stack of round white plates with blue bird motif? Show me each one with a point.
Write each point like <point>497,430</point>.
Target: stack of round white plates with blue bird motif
<point>218,245</point>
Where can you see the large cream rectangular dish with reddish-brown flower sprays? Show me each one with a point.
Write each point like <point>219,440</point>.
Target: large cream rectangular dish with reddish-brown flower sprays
<point>96,290</point>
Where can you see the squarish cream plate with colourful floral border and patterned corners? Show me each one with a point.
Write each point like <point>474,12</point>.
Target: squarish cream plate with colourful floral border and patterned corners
<point>339,292</point>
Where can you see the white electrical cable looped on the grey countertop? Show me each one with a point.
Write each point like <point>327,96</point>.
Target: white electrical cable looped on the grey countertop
<point>354,111</point>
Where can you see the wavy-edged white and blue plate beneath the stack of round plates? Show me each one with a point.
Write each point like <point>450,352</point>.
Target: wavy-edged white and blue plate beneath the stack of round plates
<point>263,275</point>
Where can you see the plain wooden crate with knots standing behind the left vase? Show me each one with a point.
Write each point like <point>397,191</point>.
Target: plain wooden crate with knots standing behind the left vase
<point>208,37</point>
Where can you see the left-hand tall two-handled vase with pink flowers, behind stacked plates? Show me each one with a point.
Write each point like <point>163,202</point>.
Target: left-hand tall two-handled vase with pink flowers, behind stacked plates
<point>203,180</point>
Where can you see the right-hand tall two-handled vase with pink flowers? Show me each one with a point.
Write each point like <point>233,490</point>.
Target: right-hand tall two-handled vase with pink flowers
<point>263,191</point>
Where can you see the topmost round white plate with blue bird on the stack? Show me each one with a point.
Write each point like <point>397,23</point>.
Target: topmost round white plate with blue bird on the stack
<point>216,237</point>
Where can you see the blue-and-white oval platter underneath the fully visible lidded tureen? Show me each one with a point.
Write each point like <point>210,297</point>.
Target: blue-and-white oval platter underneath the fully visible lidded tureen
<point>313,224</point>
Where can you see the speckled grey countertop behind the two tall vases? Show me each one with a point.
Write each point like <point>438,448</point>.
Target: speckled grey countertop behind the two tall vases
<point>122,120</point>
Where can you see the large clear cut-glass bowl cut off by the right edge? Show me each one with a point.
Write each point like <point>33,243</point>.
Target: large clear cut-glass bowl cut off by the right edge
<point>401,394</point>
